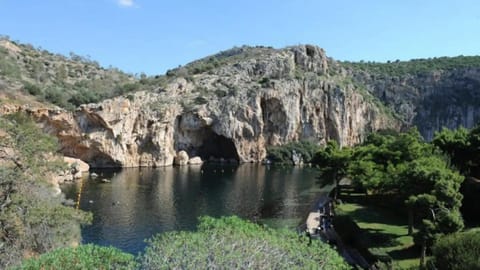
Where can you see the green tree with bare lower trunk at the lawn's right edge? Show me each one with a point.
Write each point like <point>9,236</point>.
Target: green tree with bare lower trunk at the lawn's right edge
<point>435,199</point>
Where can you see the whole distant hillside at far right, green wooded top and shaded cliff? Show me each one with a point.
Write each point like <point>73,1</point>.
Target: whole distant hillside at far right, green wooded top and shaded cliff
<point>427,93</point>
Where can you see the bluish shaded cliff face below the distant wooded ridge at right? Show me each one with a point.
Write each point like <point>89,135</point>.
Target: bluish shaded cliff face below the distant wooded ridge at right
<point>429,100</point>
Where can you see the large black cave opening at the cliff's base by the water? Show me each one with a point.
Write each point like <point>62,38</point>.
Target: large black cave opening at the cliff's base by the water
<point>218,147</point>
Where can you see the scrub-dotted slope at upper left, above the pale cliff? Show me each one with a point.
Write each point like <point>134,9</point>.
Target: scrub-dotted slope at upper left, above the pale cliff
<point>33,75</point>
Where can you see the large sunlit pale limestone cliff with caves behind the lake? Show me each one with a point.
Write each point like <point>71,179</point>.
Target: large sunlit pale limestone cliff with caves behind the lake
<point>230,113</point>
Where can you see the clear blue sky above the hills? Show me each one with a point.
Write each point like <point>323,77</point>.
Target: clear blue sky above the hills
<point>152,36</point>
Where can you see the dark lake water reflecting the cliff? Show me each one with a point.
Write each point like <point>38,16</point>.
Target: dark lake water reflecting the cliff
<point>138,203</point>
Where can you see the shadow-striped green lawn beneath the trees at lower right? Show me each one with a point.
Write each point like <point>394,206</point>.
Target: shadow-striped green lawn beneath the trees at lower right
<point>386,232</point>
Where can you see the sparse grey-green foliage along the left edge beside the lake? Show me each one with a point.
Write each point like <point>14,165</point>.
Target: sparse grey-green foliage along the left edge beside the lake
<point>32,218</point>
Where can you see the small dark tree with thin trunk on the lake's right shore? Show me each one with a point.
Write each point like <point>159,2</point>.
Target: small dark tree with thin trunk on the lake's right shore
<point>333,163</point>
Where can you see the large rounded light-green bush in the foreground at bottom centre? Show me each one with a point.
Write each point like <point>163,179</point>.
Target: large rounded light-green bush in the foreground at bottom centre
<point>231,243</point>
